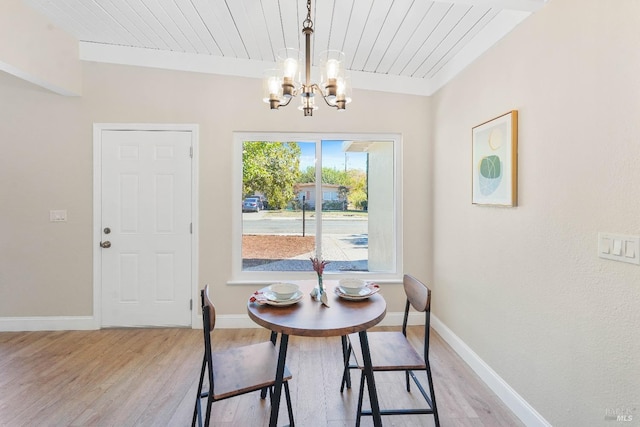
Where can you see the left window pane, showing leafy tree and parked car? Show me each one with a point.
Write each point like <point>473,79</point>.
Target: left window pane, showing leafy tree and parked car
<point>280,235</point>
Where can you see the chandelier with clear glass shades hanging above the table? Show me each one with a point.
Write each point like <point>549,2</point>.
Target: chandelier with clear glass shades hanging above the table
<point>284,82</point>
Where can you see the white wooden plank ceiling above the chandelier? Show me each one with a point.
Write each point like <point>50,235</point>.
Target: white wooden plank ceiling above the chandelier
<point>414,39</point>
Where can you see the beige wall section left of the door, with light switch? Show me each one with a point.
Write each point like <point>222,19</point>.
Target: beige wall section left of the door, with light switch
<point>45,138</point>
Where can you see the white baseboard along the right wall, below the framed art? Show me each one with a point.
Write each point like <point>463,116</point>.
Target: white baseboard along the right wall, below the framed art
<point>527,414</point>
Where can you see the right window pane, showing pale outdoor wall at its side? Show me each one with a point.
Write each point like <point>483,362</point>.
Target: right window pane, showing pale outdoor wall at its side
<point>356,235</point>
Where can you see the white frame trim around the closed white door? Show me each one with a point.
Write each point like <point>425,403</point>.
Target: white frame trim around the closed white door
<point>97,208</point>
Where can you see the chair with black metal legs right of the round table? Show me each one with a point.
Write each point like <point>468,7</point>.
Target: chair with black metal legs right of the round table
<point>392,351</point>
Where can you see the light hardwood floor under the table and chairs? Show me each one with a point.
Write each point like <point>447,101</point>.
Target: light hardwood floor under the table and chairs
<point>148,377</point>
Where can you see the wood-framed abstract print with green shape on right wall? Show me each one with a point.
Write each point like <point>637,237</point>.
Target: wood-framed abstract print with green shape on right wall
<point>495,161</point>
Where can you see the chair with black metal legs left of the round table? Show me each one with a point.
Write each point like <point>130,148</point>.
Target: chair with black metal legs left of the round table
<point>235,371</point>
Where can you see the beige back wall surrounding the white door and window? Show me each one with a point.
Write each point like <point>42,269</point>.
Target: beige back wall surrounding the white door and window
<point>46,142</point>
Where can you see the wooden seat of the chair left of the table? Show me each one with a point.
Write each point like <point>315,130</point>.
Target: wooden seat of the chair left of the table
<point>242,370</point>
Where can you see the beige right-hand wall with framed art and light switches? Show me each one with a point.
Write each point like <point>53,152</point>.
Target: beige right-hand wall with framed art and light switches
<point>523,287</point>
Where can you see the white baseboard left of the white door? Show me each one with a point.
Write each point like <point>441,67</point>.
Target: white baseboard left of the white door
<point>49,323</point>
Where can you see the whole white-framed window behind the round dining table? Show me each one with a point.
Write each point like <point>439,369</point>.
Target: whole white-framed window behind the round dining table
<point>328,195</point>
